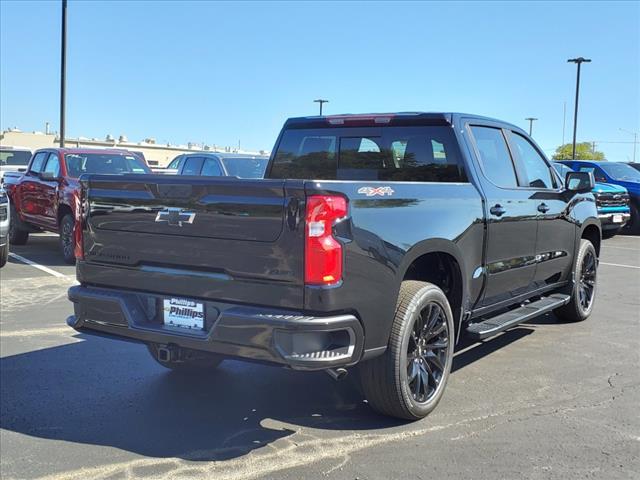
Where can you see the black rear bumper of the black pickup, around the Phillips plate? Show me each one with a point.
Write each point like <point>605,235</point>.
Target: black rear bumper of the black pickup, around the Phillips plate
<point>284,337</point>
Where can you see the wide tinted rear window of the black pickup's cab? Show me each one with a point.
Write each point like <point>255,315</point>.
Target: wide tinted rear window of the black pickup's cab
<point>403,154</point>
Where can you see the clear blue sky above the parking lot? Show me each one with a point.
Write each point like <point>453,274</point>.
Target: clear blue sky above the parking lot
<point>222,73</point>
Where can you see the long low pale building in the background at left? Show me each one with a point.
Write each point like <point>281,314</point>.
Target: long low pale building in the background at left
<point>155,154</point>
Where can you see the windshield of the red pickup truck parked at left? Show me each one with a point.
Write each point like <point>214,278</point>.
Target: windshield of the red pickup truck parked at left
<point>79,163</point>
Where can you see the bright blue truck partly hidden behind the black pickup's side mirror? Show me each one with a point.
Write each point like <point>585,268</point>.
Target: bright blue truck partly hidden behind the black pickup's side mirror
<point>612,202</point>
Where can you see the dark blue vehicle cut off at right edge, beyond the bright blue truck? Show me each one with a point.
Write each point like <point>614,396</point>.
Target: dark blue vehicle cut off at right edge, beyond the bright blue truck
<point>616,173</point>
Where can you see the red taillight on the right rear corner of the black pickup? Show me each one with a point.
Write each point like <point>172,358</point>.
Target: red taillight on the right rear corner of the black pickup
<point>323,253</point>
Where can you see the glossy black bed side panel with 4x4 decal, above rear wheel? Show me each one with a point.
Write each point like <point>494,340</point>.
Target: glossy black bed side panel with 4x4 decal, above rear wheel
<point>383,235</point>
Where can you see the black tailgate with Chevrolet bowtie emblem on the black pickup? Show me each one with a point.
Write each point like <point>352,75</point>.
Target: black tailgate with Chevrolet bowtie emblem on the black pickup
<point>212,237</point>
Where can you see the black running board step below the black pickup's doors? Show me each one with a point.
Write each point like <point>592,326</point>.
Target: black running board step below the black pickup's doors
<point>504,321</point>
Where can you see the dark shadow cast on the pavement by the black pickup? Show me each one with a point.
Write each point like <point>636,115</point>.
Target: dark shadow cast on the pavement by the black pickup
<point>100,392</point>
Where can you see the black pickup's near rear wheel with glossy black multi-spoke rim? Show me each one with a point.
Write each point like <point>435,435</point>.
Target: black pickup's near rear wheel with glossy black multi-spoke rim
<point>386,380</point>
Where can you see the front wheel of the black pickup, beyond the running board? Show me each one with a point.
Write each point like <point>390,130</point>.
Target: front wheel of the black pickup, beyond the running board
<point>583,292</point>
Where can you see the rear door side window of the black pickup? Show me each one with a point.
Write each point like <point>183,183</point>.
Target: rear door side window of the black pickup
<point>495,159</point>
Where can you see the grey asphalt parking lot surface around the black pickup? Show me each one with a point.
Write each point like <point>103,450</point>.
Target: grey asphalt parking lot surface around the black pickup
<point>542,401</point>
